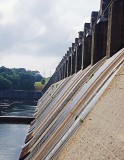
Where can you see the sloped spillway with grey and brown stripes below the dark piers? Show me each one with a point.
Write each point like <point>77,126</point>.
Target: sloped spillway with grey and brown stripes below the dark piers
<point>64,106</point>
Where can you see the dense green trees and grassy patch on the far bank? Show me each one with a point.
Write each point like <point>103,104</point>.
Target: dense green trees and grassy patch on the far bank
<point>20,79</point>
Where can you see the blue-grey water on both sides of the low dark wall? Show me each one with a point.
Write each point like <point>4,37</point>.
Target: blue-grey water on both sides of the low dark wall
<point>12,136</point>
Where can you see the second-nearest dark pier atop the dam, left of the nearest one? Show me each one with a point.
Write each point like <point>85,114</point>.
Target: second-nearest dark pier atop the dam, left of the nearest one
<point>99,34</point>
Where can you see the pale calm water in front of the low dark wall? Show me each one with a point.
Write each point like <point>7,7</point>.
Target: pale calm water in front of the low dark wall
<point>12,138</point>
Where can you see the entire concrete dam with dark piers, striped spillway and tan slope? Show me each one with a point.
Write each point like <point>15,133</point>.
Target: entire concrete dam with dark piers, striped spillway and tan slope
<point>80,113</point>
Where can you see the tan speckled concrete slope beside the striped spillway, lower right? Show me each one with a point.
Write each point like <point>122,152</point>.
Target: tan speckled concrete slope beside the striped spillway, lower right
<point>101,136</point>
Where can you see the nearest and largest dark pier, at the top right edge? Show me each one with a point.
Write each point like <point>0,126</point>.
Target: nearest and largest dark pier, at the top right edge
<point>115,36</point>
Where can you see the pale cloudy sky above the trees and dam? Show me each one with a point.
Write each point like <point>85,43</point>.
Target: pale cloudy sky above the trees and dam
<point>36,34</point>
